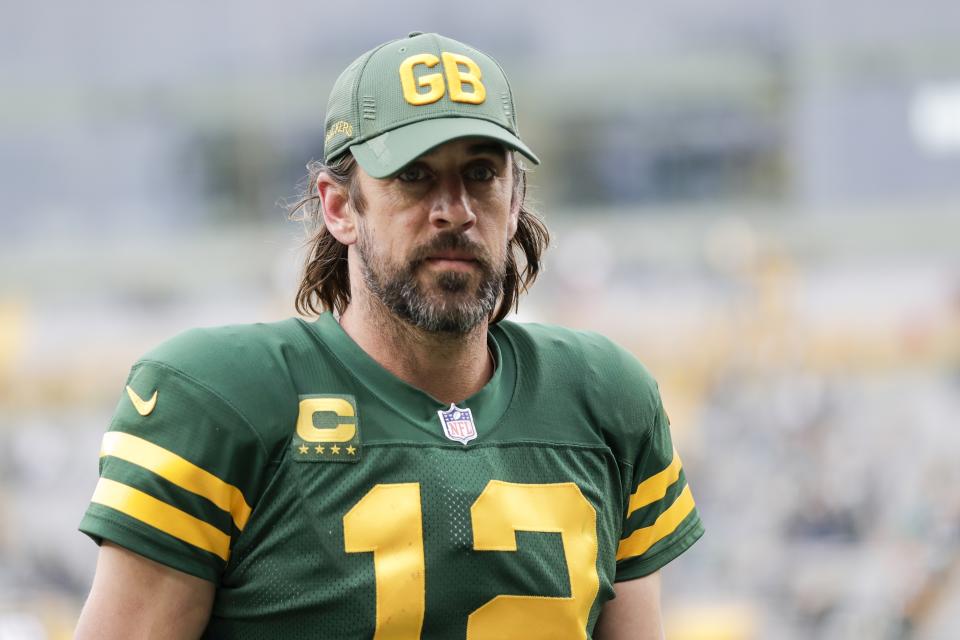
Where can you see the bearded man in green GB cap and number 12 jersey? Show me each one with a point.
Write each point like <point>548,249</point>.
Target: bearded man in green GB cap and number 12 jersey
<point>412,467</point>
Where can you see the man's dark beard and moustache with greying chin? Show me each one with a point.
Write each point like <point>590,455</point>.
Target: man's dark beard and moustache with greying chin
<point>453,302</point>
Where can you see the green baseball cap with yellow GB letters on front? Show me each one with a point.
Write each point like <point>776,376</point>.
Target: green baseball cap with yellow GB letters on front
<point>400,100</point>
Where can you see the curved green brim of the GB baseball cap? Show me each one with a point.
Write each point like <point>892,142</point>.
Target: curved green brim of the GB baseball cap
<point>391,151</point>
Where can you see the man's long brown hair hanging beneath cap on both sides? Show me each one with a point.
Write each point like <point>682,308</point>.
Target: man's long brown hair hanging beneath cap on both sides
<point>326,280</point>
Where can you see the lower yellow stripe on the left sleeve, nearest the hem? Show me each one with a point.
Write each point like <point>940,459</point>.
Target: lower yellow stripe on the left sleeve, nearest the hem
<point>160,515</point>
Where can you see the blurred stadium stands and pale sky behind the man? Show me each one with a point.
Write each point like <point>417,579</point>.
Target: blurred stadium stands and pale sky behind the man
<point>761,199</point>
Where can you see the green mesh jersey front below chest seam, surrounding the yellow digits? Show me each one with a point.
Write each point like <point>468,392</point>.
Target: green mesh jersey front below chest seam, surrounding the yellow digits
<point>298,541</point>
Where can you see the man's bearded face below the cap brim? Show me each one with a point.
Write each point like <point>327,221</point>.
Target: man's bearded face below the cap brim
<point>433,238</point>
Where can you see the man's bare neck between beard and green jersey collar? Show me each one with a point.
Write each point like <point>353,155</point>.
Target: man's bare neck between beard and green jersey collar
<point>449,367</point>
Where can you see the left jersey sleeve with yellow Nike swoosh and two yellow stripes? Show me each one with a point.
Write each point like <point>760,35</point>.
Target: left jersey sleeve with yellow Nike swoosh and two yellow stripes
<point>180,469</point>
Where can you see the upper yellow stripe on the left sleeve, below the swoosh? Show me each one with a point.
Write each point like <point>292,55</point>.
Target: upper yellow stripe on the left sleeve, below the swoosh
<point>179,471</point>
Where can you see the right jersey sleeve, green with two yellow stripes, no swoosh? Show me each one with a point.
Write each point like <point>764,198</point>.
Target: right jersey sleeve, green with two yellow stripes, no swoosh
<point>661,519</point>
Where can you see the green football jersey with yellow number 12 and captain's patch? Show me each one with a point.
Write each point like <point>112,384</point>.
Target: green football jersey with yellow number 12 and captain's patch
<point>327,498</point>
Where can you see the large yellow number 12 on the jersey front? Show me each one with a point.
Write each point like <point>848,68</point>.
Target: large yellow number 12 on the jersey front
<point>388,522</point>
